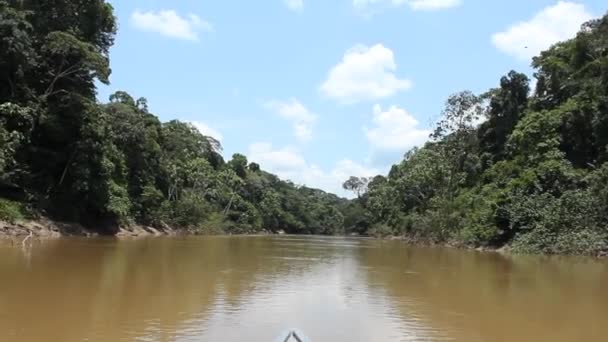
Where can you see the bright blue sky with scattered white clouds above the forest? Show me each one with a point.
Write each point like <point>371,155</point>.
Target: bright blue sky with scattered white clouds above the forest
<point>316,91</point>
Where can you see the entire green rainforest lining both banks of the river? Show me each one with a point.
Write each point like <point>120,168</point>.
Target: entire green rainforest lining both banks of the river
<point>523,165</point>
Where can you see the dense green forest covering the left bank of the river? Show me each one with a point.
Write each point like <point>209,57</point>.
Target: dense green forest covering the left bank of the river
<point>64,154</point>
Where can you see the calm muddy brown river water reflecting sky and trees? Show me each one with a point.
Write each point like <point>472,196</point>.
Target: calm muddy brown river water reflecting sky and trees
<point>254,288</point>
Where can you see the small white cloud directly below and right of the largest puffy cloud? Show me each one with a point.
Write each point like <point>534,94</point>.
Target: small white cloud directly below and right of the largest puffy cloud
<point>395,129</point>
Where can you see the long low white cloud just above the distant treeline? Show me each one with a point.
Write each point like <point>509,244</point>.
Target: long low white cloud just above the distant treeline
<point>289,164</point>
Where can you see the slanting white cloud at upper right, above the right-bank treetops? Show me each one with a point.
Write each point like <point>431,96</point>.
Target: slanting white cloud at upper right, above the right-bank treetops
<point>527,39</point>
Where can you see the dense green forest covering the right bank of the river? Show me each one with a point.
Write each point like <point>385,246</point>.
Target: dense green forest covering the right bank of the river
<point>532,175</point>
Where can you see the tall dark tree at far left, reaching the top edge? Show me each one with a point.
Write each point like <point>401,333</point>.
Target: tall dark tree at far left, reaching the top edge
<point>49,67</point>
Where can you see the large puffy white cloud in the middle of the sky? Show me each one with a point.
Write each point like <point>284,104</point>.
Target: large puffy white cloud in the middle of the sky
<point>365,73</point>
